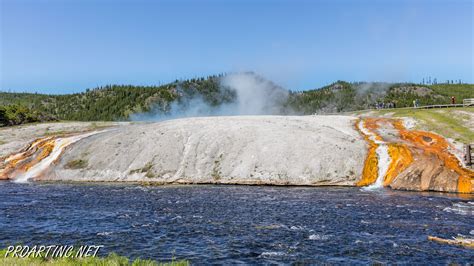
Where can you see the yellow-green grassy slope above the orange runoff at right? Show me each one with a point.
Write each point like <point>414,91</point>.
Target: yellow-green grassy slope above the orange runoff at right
<point>455,123</point>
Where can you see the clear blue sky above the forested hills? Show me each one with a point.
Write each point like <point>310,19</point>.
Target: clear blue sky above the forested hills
<point>70,45</point>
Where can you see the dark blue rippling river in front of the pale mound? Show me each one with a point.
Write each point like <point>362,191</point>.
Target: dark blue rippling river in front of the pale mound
<point>232,224</point>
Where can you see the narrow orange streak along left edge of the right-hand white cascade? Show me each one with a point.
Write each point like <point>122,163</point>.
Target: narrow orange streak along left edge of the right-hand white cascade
<point>370,171</point>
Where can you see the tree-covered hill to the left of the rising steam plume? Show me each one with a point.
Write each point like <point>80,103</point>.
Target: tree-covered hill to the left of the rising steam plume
<point>110,103</point>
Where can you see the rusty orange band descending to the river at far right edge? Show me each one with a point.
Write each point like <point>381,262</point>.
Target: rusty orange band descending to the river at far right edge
<point>433,144</point>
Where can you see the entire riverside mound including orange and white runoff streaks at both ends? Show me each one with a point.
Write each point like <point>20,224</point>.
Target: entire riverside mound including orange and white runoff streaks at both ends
<point>273,150</point>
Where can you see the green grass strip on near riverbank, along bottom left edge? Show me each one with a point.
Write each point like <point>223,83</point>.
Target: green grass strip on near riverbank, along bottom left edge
<point>111,259</point>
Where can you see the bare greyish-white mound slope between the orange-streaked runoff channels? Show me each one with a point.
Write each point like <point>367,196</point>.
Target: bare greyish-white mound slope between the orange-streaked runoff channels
<point>281,150</point>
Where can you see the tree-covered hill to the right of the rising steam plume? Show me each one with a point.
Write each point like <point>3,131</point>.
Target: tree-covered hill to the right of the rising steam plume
<point>342,96</point>
